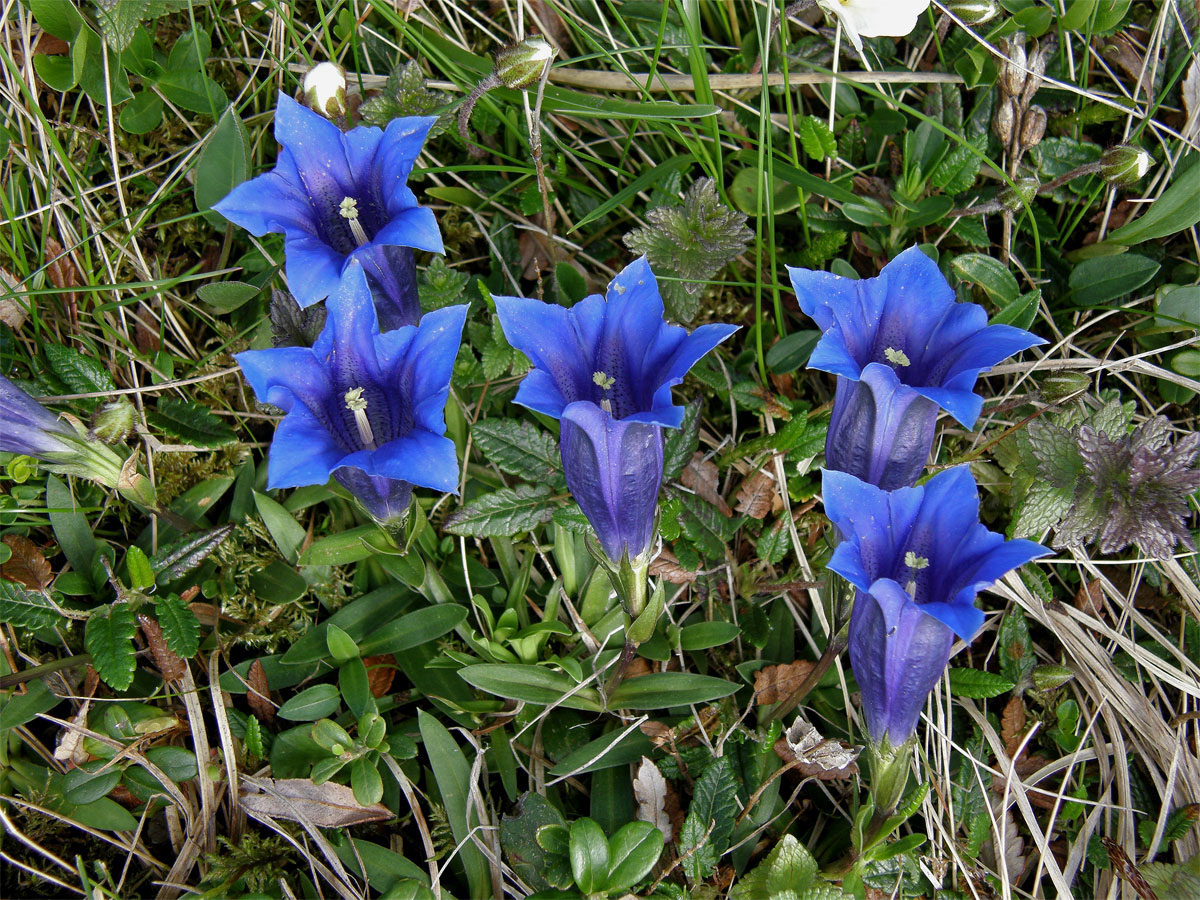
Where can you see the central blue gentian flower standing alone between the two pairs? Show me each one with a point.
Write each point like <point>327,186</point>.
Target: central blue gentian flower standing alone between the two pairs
<point>605,368</point>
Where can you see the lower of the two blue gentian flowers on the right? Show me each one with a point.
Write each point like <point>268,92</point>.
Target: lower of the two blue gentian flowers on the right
<point>917,557</point>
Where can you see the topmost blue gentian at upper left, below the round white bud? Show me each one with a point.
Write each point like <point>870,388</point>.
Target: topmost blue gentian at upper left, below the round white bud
<point>340,197</point>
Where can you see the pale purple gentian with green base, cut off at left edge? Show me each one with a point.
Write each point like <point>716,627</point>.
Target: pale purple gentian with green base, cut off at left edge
<point>64,447</point>
